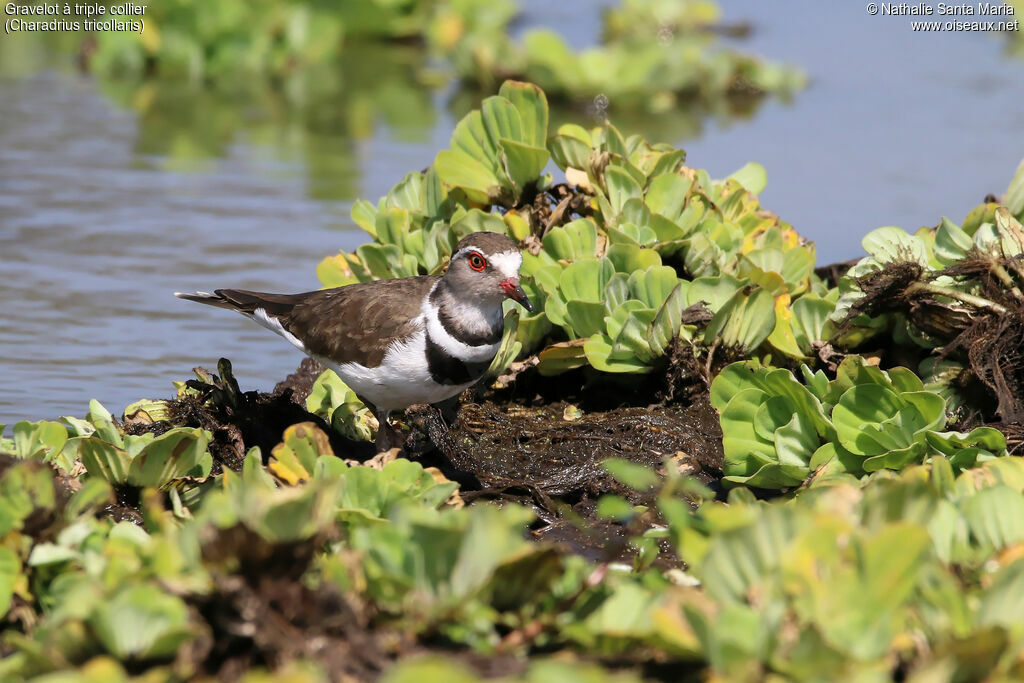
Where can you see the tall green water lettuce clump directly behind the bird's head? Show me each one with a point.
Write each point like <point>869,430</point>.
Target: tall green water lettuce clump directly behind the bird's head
<point>614,255</point>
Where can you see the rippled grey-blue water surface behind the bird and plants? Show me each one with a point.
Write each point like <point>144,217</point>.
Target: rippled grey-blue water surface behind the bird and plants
<point>112,197</point>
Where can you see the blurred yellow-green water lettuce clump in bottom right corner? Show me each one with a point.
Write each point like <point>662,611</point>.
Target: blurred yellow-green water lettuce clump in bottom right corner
<point>839,583</point>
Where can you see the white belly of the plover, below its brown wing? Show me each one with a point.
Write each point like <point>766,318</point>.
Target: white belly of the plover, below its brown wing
<point>402,380</point>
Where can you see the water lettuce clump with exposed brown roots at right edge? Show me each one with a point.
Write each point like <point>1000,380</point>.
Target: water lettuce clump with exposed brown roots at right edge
<point>951,295</point>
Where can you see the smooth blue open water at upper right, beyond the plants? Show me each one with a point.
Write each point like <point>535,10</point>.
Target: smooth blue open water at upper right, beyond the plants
<point>898,129</point>
